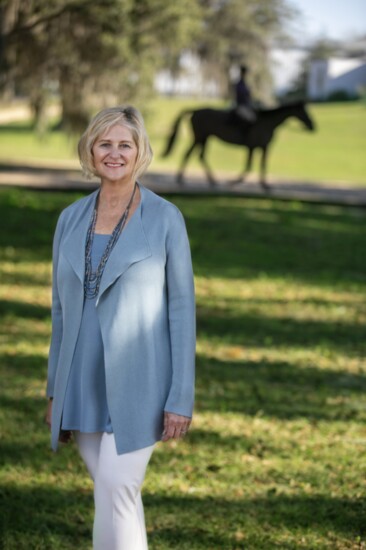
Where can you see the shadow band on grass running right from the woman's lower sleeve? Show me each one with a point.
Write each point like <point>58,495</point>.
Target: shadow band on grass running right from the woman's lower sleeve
<point>279,390</point>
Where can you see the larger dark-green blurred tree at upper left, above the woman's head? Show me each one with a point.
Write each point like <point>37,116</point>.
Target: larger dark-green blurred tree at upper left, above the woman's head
<point>90,50</point>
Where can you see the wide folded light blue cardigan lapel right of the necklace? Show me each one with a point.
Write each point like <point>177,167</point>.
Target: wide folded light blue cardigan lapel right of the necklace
<point>131,247</point>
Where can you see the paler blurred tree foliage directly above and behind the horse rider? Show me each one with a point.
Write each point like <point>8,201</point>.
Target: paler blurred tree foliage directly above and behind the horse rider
<point>237,32</point>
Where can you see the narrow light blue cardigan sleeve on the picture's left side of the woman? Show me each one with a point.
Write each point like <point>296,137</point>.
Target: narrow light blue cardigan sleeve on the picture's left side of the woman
<point>56,313</point>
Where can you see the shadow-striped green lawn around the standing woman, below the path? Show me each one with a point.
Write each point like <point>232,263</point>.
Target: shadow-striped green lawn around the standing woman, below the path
<point>276,454</point>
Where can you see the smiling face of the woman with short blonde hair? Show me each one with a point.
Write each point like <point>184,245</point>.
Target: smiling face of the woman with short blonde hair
<point>114,154</point>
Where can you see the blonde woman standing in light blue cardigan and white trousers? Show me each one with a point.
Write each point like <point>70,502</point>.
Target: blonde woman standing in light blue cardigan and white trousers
<point>121,363</point>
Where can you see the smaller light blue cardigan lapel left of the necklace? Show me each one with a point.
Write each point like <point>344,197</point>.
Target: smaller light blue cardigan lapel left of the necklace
<point>74,246</point>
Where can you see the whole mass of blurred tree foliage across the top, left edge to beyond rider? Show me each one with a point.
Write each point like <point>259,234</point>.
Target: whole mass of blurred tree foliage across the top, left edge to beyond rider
<point>94,52</point>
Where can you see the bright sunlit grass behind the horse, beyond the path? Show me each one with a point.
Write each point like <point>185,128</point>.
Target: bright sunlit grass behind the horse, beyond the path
<point>335,152</point>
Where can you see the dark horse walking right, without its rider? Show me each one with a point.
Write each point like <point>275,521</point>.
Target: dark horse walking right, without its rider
<point>227,126</point>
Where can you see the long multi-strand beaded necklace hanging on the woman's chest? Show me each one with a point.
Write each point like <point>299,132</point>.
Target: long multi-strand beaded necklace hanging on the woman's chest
<point>92,278</point>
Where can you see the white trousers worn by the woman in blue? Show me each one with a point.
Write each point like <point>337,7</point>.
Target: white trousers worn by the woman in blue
<point>119,522</point>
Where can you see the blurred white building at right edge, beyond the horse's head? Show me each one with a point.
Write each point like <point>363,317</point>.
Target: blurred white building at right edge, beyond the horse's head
<point>336,75</point>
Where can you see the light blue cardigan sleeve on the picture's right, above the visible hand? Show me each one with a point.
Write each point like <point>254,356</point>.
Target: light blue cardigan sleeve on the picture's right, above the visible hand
<point>182,321</point>
